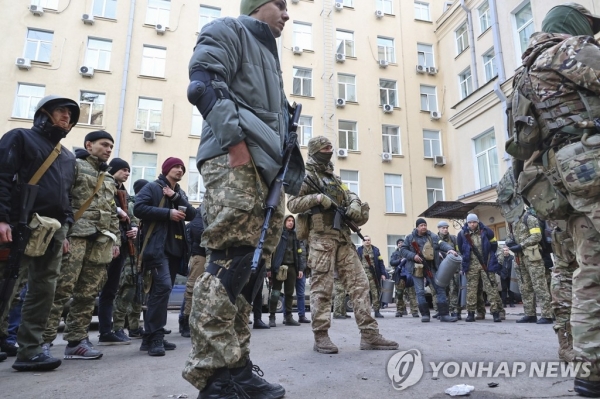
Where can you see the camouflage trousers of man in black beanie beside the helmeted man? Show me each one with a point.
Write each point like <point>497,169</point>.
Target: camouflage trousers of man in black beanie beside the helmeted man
<point>80,279</point>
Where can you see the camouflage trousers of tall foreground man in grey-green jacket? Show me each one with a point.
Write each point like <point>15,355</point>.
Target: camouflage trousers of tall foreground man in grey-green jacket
<point>233,201</point>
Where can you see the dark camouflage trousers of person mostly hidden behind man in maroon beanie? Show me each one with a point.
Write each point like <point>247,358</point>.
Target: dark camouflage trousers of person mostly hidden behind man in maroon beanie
<point>125,307</point>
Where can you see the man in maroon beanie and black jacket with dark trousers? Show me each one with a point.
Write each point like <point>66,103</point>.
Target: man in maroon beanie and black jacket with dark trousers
<point>165,249</point>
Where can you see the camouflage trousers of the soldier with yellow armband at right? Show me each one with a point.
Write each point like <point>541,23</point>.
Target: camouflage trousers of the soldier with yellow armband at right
<point>533,286</point>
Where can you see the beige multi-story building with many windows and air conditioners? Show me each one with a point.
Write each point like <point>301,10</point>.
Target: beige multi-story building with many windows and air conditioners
<point>410,92</point>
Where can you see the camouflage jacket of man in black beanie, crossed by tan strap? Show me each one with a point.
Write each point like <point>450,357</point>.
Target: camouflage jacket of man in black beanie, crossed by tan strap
<point>101,215</point>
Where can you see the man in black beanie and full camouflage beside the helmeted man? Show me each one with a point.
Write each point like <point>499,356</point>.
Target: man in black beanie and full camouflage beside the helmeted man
<point>94,241</point>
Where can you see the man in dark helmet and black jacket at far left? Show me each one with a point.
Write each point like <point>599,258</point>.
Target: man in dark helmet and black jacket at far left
<point>22,152</point>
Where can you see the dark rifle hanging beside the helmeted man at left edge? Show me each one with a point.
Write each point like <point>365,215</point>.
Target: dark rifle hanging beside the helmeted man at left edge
<point>20,239</point>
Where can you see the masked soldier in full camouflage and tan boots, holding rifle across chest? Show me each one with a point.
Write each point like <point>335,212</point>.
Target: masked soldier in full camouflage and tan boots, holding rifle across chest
<point>332,249</point>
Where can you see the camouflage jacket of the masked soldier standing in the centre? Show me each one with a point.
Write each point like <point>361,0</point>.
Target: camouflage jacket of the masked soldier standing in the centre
<point>321,220</point>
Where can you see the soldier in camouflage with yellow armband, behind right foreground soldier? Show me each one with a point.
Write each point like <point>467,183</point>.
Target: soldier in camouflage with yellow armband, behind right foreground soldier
<point>523,240</point>
